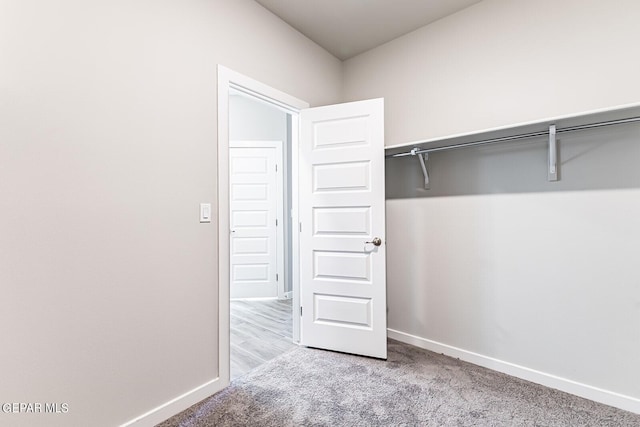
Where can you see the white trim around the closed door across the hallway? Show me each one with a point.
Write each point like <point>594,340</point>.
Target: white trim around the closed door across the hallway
<point>280,194</point>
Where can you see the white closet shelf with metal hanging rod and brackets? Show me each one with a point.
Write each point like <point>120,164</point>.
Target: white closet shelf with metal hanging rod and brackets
<point>532,131</point>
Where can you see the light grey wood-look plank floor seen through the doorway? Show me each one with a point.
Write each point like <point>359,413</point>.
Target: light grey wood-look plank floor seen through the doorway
<point>260,331</point>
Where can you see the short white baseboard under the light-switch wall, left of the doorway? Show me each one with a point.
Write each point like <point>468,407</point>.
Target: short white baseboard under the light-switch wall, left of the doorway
<point>176,405</point>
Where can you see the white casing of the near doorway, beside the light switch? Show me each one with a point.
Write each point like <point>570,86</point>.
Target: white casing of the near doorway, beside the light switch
<point>228,79</point>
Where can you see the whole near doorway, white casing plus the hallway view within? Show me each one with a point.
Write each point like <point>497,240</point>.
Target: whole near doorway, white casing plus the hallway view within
<point>269,274</point>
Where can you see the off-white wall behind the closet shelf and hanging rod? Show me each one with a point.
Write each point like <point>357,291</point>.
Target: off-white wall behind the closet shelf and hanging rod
<point>495,263</point>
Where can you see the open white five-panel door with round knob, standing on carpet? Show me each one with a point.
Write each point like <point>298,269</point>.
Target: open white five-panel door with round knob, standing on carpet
<point>341,199</point>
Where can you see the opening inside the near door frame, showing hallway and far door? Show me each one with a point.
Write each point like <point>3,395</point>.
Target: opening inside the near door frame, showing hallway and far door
<point>261,289</point>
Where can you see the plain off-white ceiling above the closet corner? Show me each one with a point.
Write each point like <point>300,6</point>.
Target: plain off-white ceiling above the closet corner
<point>349,27</point>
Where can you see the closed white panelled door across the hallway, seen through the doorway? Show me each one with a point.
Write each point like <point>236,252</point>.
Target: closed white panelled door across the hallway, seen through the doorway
<point>256,242</point>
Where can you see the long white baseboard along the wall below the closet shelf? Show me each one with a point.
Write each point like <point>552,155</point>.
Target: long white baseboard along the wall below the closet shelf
<point>607,397</point>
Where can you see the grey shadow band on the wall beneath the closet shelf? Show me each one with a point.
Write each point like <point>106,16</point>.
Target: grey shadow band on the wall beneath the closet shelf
<point>606,158</point>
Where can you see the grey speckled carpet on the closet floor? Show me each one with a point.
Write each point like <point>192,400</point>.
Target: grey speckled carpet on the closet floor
<point>414,387</point>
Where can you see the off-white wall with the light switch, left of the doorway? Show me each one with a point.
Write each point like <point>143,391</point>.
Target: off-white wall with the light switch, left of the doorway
<point>107,146</point>
